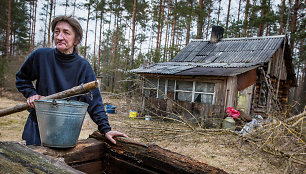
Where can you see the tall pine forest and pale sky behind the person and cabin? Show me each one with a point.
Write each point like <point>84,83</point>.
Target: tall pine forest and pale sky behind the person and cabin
<point>122,35</point>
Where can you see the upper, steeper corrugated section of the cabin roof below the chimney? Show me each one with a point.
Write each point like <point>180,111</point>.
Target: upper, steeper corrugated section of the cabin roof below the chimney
<point>254,49</point>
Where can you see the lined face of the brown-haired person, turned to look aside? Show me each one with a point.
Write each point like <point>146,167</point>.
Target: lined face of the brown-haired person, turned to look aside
<point>64,37</point>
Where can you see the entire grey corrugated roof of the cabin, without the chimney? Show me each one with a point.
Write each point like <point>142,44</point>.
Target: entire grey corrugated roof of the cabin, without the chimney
<point>228,57</point>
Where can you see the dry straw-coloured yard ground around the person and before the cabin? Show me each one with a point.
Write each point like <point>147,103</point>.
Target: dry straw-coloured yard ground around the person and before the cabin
<point>221,150</point>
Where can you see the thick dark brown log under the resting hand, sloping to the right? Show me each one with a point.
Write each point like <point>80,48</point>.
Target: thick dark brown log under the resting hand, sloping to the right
<point>154,158</point>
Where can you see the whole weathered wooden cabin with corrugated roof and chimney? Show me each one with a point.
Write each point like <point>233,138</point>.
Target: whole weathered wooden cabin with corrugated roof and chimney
<point>207,76</point>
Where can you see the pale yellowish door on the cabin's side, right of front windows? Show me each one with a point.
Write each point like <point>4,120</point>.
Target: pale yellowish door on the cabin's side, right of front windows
<point>244,99</point>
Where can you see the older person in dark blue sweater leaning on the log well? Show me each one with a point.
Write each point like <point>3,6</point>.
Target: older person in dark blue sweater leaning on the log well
<point>56,70</point>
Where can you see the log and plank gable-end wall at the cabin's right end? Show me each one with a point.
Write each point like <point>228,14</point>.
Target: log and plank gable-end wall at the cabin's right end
<point>274,78</point>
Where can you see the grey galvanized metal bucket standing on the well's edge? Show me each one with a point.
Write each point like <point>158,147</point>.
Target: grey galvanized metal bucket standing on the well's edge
<point>60,121</point>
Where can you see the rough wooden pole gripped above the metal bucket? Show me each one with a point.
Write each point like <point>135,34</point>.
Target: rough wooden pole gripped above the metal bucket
<point>81,89</point>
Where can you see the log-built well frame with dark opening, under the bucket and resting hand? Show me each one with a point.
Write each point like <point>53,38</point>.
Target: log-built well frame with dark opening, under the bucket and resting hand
<point>97,155</point>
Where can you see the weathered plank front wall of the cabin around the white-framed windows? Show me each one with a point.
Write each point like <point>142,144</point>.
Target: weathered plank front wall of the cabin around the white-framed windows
<point>204,114</point>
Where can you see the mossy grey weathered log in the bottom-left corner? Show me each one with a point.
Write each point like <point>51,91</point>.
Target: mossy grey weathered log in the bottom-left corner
<point>17,158</point>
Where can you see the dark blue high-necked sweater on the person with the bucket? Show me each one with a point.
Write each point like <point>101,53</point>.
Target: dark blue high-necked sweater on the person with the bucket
<point>55,72</point>
